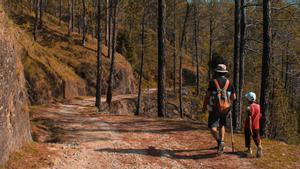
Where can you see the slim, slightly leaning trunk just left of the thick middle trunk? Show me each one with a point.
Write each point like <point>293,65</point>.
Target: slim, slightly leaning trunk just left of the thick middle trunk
<point>138,109</point>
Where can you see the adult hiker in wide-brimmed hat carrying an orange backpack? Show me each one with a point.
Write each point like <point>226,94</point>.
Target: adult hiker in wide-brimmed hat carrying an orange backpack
<point>219,96</point>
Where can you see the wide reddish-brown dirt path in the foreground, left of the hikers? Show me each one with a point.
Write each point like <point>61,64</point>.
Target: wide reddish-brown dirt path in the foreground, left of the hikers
<point>84,139</point>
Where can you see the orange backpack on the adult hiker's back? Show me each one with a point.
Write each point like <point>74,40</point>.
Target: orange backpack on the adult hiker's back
<point>221,102</point>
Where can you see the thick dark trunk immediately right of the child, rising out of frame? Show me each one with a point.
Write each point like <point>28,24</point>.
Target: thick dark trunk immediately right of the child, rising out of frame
<point>265,75</point>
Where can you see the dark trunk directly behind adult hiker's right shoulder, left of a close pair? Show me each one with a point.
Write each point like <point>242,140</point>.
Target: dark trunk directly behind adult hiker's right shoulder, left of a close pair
<point>236,68</point>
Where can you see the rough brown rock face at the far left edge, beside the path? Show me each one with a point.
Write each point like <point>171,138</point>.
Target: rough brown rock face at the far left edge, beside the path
<point>14,118</point>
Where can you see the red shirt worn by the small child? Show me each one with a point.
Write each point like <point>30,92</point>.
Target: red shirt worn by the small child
<point>254,112</point>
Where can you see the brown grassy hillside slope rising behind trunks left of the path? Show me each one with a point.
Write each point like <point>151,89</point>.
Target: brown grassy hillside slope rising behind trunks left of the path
<point>57,66</point>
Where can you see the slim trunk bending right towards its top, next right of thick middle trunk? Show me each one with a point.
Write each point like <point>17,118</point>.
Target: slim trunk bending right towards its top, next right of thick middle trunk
<point>180,59</point>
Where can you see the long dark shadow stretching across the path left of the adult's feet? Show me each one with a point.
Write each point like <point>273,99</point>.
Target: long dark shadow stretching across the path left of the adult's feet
<point>172,154</point>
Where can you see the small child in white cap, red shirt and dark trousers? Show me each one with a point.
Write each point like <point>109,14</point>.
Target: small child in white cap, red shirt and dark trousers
<point>252,124</point>
